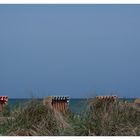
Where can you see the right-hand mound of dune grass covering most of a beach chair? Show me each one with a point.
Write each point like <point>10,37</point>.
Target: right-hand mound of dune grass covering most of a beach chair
<point>108,119</point>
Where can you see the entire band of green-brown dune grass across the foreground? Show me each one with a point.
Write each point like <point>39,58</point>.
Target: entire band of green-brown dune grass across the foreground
<point>99,119</point>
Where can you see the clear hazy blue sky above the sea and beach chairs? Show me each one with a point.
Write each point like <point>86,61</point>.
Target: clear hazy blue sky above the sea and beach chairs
<point>75,50</point>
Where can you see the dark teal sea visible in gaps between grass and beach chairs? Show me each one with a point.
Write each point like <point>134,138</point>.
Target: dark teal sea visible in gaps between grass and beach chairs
<point>75,105</point>
